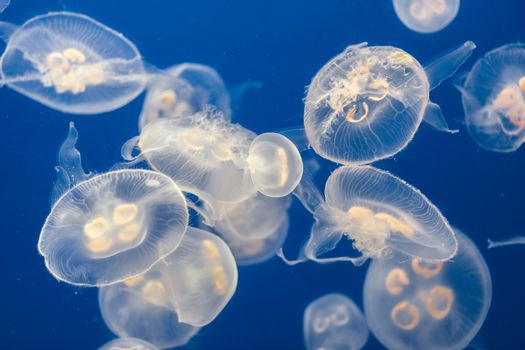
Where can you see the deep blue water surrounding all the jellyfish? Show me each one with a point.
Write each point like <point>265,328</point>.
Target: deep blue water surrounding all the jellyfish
<point>282,44</point>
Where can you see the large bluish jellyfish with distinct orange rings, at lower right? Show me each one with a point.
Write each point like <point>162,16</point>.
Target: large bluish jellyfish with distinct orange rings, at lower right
<point>412,303</point>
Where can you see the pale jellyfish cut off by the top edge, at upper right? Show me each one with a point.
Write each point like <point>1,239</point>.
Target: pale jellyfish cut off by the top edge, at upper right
<point>426,16</point>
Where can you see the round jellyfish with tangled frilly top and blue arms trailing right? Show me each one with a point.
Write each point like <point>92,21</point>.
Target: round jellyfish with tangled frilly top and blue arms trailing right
<point>366,103</point>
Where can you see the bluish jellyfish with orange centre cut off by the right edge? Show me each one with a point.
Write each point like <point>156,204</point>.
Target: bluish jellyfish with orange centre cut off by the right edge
<point>493,96</point>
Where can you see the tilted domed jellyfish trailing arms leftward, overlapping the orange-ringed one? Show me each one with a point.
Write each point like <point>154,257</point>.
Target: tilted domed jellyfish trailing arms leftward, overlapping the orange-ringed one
<point>379,212</point>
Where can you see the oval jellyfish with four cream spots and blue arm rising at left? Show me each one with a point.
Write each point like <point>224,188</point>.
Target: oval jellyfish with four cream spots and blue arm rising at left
<point>109,227</point>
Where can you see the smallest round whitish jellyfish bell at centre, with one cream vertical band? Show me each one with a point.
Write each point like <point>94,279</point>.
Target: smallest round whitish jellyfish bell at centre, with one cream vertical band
<point>275,164</point>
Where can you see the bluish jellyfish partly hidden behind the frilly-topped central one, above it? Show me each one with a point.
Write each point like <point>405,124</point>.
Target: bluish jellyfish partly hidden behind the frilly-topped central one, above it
<point>184,90</point>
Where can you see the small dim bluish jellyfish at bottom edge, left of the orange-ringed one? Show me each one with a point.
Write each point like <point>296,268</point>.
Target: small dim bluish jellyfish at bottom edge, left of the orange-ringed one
<point>334,322</point>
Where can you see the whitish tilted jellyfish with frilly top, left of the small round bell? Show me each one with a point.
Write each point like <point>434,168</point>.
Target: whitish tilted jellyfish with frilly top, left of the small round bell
<point>204,154</point>
